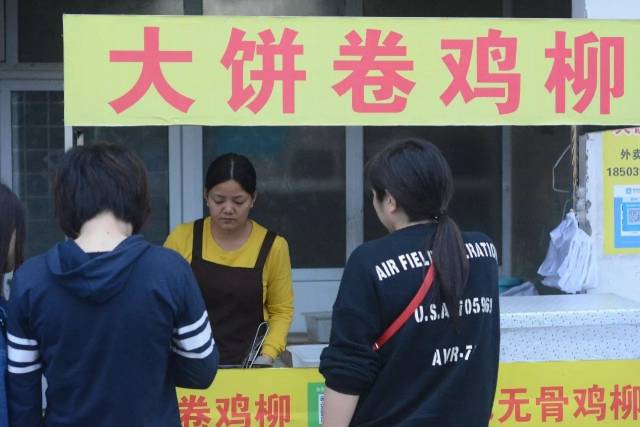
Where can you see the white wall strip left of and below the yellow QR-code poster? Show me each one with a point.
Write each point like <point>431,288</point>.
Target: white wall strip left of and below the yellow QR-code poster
<point>618,274</point>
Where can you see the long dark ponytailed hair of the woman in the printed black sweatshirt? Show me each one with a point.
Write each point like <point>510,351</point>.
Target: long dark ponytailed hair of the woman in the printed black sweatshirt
<point>419,178</point>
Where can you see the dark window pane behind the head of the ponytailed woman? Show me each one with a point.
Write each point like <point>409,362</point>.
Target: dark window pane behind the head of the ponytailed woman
<point>475,157</point>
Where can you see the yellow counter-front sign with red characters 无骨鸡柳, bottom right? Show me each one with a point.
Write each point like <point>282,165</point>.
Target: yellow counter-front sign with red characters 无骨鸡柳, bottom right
<point>578,393</point>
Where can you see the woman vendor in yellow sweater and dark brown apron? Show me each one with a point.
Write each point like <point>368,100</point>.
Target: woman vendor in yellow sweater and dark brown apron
<point>243,269</point>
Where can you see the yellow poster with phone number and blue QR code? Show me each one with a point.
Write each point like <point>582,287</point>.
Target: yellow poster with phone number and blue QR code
<point>621,180</point>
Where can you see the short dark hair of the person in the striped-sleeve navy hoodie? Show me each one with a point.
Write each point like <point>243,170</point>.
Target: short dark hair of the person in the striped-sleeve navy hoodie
<point>98,178</point>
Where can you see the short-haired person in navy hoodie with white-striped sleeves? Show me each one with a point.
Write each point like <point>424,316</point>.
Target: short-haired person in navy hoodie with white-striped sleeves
<point>113,322</point>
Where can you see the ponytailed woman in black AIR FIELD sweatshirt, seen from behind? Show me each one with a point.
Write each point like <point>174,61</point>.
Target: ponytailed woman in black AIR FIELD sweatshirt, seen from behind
<point>441,367</point>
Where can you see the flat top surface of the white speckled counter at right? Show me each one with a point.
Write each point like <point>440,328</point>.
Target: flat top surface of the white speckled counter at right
<point>567,310</point>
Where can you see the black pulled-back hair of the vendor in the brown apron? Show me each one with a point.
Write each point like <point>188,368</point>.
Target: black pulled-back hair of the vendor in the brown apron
<point>231,166</point>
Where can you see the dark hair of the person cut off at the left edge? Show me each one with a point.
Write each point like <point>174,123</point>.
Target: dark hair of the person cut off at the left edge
<point>12,219</point>
